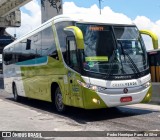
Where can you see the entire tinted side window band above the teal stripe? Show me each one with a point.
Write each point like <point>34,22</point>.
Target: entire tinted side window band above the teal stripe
<point>38,45</point>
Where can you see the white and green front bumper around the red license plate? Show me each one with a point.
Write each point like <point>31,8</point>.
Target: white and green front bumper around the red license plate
<point>112,97</point>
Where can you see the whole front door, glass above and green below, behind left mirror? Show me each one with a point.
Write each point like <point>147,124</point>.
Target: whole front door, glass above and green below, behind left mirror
<point>75,90</point>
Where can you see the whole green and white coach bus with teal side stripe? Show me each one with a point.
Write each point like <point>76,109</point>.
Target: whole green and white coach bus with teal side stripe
<point>79,60</point>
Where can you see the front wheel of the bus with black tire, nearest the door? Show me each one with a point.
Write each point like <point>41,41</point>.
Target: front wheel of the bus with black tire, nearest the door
<point>58,101</point>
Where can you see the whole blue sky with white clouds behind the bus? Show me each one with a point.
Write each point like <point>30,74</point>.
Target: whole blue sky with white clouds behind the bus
<point>144,13</point>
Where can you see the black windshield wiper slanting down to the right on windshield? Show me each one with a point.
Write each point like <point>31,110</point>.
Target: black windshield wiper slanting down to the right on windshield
<point>130,59</point>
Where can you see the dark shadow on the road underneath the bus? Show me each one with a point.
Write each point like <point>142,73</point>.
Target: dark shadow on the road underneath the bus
<point>82,116</point>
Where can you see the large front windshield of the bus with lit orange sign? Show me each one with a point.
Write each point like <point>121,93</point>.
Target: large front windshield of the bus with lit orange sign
<point>113,50</point>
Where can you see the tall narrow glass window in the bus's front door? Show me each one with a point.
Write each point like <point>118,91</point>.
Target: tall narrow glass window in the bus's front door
<point>72,53</point>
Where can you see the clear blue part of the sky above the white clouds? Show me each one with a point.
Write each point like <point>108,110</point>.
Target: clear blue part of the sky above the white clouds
<point>131,8</point>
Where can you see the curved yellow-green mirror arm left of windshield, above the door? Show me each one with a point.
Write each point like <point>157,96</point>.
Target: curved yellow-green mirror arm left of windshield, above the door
<point>78,35</point>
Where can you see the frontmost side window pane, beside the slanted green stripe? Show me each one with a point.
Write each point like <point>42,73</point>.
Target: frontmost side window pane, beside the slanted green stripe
<point>48,43</point>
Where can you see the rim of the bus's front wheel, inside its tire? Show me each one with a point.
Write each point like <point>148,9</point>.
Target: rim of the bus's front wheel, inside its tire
<point>59,101</point>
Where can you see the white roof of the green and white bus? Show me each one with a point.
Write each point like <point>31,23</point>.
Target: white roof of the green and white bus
<point>78,18</point>
